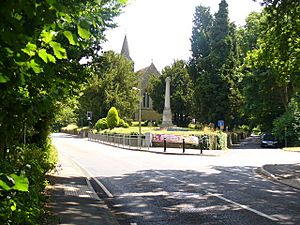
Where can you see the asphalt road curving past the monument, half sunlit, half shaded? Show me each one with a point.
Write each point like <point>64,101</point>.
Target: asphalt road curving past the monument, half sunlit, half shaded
<point>146,188</point>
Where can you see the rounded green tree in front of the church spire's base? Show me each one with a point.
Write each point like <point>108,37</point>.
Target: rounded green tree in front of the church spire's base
<point>110,83</point>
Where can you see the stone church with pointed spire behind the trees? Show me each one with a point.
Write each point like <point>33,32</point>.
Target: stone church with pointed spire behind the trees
<point>144,74</point>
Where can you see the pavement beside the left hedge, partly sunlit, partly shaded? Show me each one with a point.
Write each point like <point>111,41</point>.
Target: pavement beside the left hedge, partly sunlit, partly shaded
<point>73,200</point>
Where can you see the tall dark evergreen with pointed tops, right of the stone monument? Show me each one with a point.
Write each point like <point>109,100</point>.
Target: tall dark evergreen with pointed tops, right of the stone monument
<point>214,71</point>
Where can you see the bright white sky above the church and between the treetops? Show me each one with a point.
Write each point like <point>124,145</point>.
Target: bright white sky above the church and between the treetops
<point>159,31</point>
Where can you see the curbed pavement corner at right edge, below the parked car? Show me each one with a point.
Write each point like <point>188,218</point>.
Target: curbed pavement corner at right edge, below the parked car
<point>288,174</point>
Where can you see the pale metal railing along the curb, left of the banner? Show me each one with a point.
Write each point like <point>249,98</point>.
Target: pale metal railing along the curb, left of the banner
<point>120,140</point>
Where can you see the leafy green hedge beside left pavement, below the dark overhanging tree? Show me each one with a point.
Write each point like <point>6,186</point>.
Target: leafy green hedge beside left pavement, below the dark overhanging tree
<point>22,184</point>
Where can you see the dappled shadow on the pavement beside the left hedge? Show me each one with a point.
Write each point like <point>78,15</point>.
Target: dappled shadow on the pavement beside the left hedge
<point>72,202</point>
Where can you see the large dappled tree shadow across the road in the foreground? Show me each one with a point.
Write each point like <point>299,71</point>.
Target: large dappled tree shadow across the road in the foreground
<point>189,197</point>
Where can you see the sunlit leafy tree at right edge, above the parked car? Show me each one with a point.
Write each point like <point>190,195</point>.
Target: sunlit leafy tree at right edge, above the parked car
<point>272,67</point>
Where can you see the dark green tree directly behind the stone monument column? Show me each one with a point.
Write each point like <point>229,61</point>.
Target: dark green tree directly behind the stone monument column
<point>181,92</point>
